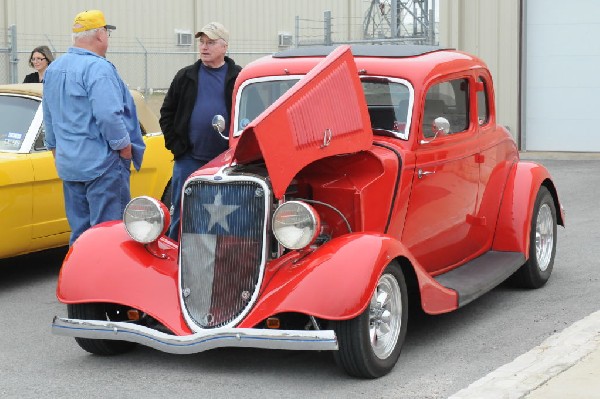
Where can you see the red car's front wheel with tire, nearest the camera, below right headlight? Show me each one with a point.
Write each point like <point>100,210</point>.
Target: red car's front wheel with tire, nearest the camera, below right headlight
<point>370,344</point>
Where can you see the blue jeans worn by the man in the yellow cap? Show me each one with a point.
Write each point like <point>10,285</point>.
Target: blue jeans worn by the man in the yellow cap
<point>100,200</point>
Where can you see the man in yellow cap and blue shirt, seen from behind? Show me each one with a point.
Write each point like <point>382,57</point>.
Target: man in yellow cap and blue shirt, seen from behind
<point>91,127</point>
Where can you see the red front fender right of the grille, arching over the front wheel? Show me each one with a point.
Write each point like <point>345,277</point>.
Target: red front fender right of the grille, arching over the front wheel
<point>336,281</point>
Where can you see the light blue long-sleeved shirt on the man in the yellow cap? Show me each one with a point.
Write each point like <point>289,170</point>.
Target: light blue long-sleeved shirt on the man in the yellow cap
<point>89,115</point>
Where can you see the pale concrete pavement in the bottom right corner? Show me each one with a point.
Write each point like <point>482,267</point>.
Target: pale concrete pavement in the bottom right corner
<point>565,365</point>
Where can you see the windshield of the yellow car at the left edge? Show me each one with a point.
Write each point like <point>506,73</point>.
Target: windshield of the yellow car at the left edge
<point>16,115</point>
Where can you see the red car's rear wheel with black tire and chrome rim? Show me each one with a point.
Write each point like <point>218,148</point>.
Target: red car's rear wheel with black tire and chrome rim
<point>542,248</point>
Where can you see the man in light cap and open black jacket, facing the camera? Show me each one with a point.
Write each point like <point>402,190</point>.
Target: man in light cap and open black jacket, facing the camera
<point>197,93</point>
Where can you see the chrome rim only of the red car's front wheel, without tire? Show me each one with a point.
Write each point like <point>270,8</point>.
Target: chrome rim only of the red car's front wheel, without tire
<point>385,316</point>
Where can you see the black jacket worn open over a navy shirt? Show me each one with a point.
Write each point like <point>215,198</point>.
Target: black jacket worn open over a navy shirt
<point>177,107</point>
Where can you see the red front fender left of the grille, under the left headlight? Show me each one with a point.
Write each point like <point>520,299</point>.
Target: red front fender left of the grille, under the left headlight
<point>106,265</point>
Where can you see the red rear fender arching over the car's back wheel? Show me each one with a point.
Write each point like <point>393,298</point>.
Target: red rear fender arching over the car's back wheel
<point>516,210</point>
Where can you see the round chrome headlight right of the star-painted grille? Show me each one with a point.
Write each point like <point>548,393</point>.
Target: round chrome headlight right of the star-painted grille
<point>296,224</point>
